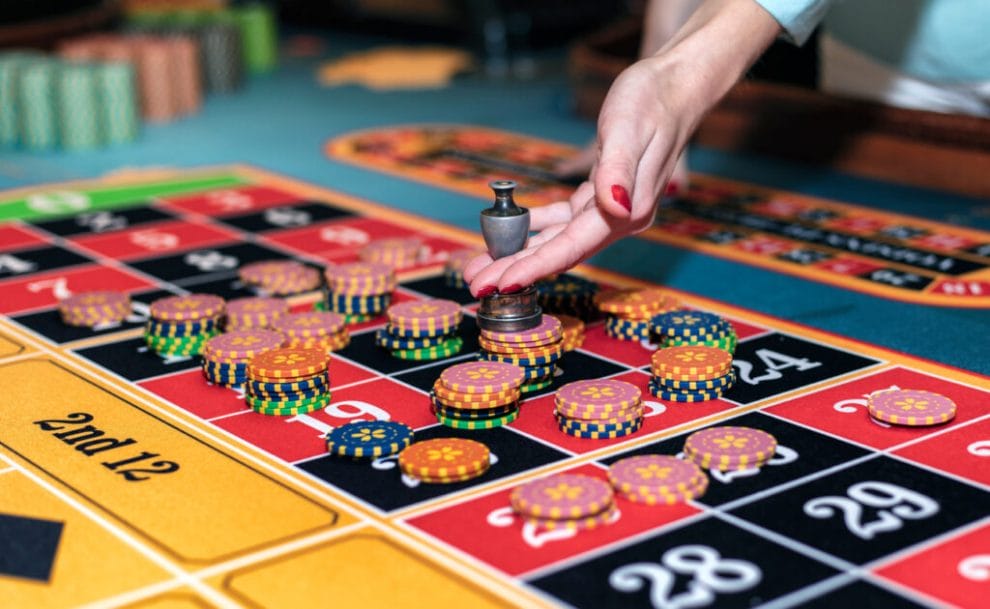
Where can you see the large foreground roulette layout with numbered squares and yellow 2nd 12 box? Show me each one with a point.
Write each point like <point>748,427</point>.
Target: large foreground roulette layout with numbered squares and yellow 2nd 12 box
<point>233,504</point>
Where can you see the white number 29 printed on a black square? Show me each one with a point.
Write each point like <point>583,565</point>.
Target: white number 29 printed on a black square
<point>904,504</point>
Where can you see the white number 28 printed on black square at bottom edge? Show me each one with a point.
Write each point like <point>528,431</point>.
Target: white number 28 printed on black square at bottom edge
<point>710,575</point>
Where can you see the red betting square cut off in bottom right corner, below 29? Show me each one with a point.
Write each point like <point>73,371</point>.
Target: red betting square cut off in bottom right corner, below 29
<point>955,571</point>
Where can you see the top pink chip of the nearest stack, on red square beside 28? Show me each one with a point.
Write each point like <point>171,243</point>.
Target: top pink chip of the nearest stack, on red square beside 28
<point>562,496</point>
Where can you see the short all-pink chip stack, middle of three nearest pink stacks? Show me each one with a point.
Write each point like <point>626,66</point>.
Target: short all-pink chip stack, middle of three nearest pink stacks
<point>657,479</point>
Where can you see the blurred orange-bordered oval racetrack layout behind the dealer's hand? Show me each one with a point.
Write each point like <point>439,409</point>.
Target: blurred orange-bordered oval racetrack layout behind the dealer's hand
<point>891,255</point>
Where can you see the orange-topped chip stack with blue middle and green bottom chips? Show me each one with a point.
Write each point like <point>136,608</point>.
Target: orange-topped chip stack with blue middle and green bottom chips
<point>288,381</point>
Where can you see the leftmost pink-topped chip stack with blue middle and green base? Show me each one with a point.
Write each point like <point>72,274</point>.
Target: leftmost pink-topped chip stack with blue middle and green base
<point>181,325</point>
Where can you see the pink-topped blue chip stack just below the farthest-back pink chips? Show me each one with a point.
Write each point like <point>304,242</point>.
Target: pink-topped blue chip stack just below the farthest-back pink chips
<point>359,290</point>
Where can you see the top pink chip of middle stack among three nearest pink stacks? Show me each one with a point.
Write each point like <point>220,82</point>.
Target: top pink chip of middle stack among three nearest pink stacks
<point>656,474</point>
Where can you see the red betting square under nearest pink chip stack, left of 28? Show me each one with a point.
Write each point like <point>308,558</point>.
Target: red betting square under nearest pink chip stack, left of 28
<point>486,527</point>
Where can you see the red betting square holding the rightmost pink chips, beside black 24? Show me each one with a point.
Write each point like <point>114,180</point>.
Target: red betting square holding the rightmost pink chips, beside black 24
<point>841,409</point>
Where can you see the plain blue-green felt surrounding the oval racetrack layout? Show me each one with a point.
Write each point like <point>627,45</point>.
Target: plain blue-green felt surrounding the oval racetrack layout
<point>281,121</point>
